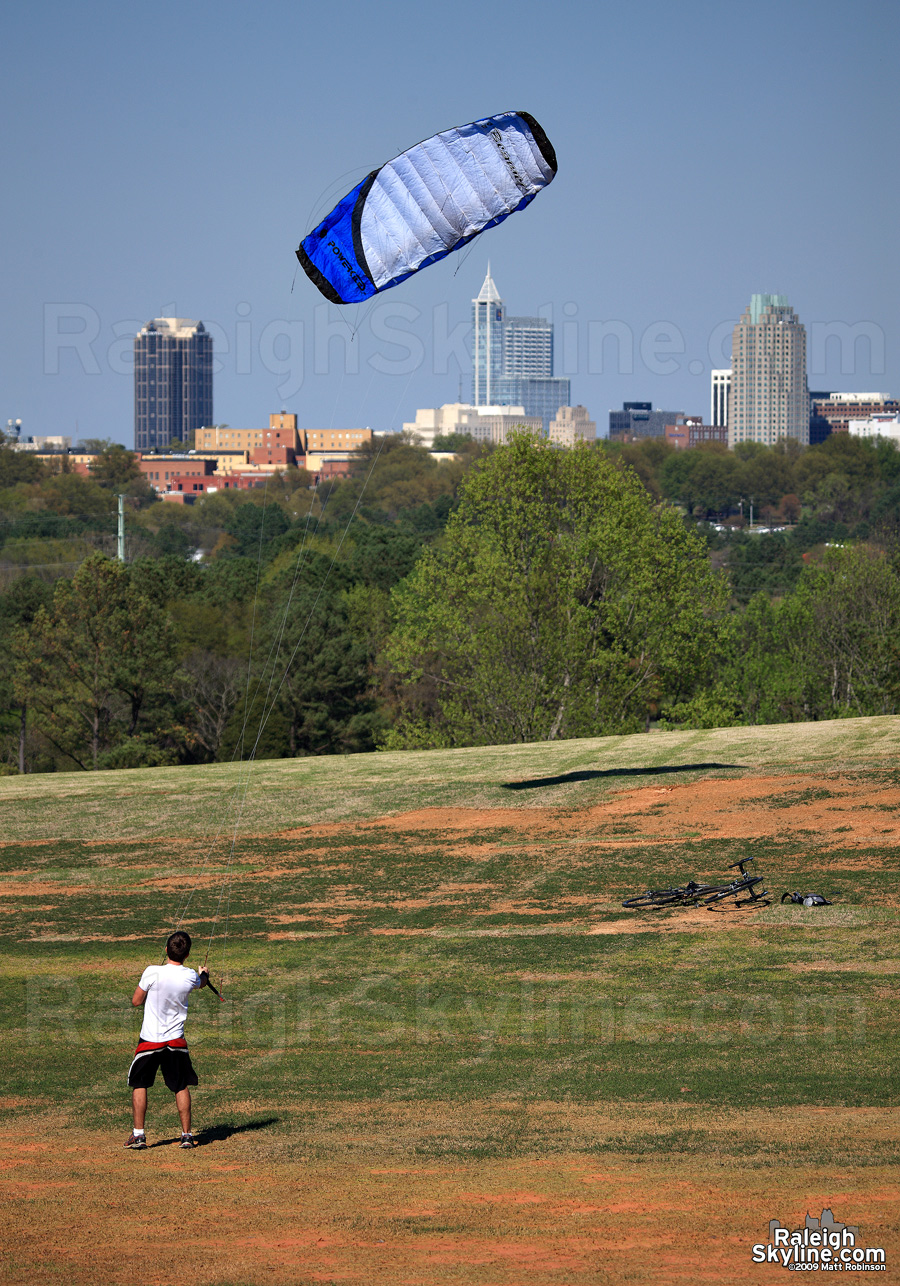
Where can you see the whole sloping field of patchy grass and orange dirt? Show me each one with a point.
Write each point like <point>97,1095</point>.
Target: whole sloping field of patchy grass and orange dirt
<point>447,1053</point>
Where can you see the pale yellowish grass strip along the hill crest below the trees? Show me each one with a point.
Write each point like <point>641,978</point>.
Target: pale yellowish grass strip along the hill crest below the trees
<point>159,803</point>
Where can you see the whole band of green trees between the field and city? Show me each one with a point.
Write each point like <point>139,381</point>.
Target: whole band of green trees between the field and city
<point>519,593</point>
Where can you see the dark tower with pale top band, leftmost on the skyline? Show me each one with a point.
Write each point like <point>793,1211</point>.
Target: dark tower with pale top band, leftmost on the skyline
<point>173,381</point>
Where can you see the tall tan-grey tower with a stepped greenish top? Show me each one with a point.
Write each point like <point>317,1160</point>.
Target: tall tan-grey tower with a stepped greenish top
<point>769,398</point>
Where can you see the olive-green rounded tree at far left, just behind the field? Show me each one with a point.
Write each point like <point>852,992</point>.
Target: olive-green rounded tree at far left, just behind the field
<point>91,664</point>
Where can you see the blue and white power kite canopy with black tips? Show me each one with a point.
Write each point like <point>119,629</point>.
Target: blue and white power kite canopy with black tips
<point>426,204</point>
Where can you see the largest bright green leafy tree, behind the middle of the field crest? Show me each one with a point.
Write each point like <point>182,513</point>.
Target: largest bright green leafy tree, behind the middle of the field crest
<point>561,604</point>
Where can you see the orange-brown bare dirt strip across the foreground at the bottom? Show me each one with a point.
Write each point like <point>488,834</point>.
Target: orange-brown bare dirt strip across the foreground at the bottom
<point>250,1209</point>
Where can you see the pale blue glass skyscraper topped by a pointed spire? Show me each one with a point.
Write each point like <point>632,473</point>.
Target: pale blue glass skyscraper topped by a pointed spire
<point>512,359</point>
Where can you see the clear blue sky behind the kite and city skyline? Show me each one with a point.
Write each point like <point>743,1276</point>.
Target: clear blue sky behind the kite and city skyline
<point>168,159</point>
